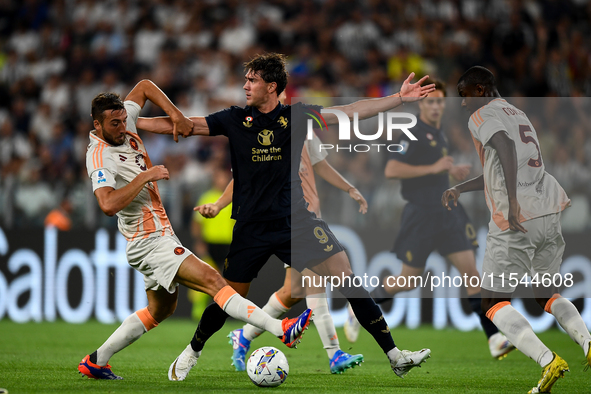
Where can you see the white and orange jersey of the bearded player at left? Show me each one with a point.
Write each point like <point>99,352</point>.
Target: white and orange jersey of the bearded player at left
<point>116,166</point>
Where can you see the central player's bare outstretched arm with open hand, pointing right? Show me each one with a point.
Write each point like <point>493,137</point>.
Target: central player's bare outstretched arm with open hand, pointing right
<point>371,107</point>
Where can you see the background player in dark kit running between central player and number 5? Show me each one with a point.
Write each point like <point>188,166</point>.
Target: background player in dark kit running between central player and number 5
<point>423,167</point>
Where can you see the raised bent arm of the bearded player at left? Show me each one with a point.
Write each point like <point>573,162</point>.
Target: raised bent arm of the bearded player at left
<point>147,90</point>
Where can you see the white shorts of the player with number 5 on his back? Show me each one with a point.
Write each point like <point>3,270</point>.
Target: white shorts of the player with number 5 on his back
<point>539,251</point>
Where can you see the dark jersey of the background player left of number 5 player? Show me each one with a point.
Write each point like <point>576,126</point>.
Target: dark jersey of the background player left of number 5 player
<point>430,146</point>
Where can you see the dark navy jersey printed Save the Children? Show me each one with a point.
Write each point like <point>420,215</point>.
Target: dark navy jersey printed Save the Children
<point>265,158</point>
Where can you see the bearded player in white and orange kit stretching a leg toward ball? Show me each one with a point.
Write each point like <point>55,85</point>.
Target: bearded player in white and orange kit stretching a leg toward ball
<point>124,183</point>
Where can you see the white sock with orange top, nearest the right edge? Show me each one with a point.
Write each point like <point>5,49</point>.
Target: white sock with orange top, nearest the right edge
<point>570,320</point>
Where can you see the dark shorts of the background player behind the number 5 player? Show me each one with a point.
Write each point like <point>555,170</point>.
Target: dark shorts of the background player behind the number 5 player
<point>425,229</point>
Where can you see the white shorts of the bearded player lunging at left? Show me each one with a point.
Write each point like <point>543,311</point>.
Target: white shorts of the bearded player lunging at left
<point>158,259</point>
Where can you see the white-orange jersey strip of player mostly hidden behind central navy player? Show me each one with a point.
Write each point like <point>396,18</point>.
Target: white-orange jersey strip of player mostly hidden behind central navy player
<point>311,155</point>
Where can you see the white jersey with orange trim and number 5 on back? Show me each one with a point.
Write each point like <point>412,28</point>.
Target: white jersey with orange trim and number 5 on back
<point>538,192</point>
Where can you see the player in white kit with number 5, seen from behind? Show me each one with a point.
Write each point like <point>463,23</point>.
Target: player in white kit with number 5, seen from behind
<point>525,236</point>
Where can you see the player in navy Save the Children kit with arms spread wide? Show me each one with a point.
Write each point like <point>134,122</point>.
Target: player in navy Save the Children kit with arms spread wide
<point>268,203</point>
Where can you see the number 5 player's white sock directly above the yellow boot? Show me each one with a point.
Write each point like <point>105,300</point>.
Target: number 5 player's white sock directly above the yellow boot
<point>518,330</point>
